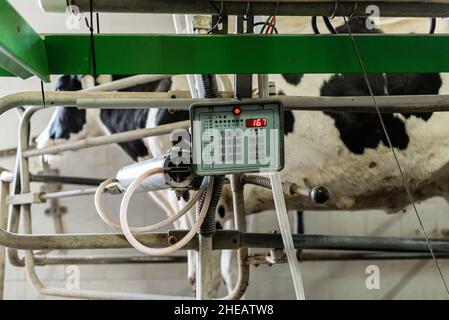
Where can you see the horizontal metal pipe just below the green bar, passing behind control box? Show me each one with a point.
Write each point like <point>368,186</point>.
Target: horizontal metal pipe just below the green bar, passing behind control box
<point>387,104</point>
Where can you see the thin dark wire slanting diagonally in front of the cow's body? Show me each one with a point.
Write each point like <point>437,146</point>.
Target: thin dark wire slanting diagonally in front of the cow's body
<point>409,194</point>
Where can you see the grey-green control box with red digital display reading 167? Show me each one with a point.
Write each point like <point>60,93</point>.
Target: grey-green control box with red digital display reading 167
<point>238,137</point>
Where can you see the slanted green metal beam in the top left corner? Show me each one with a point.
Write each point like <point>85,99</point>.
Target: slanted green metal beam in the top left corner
<point>22,51</point>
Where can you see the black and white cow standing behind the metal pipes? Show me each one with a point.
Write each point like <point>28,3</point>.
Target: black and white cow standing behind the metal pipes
<point>346,152</point>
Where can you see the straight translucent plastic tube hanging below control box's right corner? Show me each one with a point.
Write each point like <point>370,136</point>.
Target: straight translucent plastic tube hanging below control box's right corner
<point>287,238</point>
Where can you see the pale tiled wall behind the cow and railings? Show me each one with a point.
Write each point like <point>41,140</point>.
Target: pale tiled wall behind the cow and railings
<point>323,280</point>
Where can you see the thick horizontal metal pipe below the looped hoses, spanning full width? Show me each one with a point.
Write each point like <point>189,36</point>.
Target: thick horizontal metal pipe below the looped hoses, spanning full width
<point>223,240</point>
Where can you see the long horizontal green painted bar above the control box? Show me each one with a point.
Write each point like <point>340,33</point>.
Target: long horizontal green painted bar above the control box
<point>171,54</point>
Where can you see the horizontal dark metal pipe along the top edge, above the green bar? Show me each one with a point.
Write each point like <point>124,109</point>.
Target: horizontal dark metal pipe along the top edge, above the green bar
<point>410,8</point>
